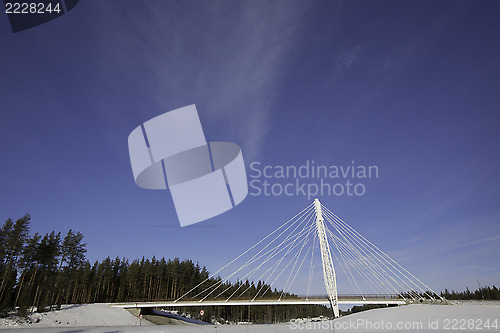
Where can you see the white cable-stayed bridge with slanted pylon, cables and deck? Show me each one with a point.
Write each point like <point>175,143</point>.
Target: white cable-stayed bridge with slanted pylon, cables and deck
<point>299,256</point>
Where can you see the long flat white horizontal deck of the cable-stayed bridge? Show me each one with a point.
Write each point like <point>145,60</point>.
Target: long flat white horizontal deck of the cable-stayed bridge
<point>321,301</point>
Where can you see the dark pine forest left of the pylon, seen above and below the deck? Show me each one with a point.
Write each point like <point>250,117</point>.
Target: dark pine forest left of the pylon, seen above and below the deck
<point>40,272</point>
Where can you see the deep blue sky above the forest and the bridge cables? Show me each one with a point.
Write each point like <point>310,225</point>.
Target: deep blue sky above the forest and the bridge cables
<point>411,87</point>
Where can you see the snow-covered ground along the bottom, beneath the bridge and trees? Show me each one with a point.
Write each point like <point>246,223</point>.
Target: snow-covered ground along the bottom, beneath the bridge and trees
<point>462,316</point>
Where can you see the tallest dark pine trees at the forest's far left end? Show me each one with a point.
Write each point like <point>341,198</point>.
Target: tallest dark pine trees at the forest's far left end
<point>38,270</point>
